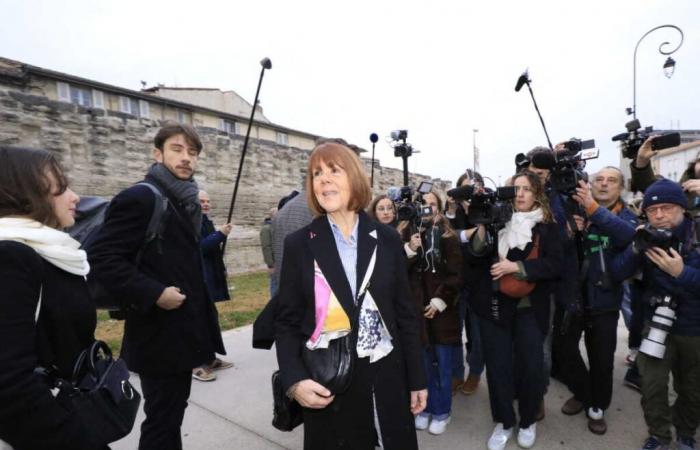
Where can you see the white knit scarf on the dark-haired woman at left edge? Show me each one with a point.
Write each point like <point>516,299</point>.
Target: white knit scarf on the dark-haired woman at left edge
<point>53,245</point>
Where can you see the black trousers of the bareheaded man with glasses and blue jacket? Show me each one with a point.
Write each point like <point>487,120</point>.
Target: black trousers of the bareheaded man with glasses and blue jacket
<point>590,385</point>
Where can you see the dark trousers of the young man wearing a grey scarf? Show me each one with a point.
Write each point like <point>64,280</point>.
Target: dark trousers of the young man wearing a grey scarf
<point>165,400</point>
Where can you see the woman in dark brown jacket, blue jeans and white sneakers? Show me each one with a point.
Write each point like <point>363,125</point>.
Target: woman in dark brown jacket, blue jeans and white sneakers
<point>435,276</point>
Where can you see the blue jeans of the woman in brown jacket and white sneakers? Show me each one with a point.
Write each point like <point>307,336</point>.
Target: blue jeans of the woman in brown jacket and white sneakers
<point>439,380</point>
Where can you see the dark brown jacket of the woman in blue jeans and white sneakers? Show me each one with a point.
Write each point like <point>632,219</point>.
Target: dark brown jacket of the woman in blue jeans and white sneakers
<point>443,283</point>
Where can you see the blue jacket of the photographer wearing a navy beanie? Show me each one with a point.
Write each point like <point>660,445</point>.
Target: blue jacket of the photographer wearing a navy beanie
<point>657,283</point>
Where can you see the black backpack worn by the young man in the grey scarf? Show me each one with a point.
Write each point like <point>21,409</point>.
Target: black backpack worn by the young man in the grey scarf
<point>90,215</point>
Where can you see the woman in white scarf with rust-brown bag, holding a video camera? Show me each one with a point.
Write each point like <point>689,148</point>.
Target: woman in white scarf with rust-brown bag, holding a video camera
<point>515,314</point>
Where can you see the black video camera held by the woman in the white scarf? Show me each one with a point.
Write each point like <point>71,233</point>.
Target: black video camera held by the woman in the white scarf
<point>486,206</point>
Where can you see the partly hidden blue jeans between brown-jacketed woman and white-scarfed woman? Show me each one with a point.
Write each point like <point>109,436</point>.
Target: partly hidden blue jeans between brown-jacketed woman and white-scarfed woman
<point>475,355</point>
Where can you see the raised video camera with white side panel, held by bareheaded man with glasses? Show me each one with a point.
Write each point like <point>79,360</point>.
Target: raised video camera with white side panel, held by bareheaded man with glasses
<point>569,165</point>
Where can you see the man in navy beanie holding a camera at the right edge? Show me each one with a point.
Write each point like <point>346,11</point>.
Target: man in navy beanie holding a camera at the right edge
<point>675,273</point>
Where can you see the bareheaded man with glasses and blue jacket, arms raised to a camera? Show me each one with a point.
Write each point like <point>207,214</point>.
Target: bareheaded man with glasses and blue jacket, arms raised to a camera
<point>608,230</point>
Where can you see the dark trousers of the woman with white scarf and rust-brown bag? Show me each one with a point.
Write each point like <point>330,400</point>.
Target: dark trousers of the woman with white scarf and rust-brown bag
<point>517,345</point>
